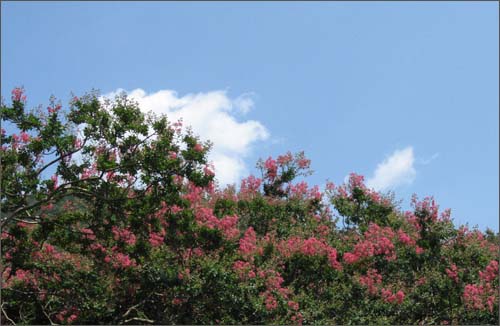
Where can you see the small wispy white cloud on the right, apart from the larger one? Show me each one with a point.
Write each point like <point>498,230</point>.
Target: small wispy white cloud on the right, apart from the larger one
<point>394,171</point>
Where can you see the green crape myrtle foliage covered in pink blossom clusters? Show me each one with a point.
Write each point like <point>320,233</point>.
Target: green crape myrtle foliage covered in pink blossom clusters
<point>111,216</point>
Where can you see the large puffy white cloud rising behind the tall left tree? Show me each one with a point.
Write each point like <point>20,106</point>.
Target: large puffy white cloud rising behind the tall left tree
<point>212,117</point>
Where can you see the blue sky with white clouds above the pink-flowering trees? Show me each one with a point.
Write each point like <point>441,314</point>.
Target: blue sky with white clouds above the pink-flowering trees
<point>403,93</point>
